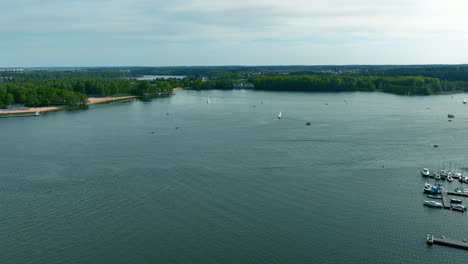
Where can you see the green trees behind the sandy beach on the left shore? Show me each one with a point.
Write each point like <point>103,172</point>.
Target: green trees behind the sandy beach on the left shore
<point>74,91</point>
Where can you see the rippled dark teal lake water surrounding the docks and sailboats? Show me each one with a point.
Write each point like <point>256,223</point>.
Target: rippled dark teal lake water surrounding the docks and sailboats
<point>227,182</point>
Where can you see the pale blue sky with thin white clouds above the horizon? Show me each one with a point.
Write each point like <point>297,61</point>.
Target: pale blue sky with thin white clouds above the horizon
<point>61,33</point>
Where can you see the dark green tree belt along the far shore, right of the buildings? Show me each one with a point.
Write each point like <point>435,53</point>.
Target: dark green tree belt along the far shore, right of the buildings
<point>396,85</point>
